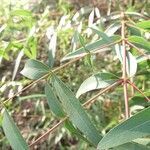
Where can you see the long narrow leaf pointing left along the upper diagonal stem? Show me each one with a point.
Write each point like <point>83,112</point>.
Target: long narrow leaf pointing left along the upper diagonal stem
<point>92,47</point>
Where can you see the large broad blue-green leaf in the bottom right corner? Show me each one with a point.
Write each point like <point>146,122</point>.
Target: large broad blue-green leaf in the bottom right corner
<point>135,127</point>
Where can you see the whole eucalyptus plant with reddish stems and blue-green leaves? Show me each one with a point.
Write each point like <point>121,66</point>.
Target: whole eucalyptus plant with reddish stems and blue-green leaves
<point>125,35</point>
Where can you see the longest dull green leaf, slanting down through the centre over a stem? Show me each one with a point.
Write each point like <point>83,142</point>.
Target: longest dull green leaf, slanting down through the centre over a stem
<point>75,112</point>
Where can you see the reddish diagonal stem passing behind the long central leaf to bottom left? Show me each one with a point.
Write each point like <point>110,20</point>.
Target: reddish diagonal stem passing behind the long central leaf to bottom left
<point>90,101</point>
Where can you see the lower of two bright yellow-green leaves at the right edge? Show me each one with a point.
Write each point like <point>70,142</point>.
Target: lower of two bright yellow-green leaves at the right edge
<point>140,42</point>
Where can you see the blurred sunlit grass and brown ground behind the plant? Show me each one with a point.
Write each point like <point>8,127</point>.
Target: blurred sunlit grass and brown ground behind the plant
<point>47,31</point>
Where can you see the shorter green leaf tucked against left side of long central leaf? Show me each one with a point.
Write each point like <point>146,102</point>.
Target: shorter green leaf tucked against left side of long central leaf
<point>53,102</point>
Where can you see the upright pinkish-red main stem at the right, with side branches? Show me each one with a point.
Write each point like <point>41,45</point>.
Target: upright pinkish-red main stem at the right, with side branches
<point>124,72</point>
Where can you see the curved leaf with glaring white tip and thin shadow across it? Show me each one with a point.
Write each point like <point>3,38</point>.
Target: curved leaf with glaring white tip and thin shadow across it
<point>96,81</point>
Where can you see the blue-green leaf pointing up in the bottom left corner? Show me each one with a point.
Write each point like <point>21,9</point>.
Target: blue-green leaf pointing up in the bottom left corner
<point>12,133</point>
